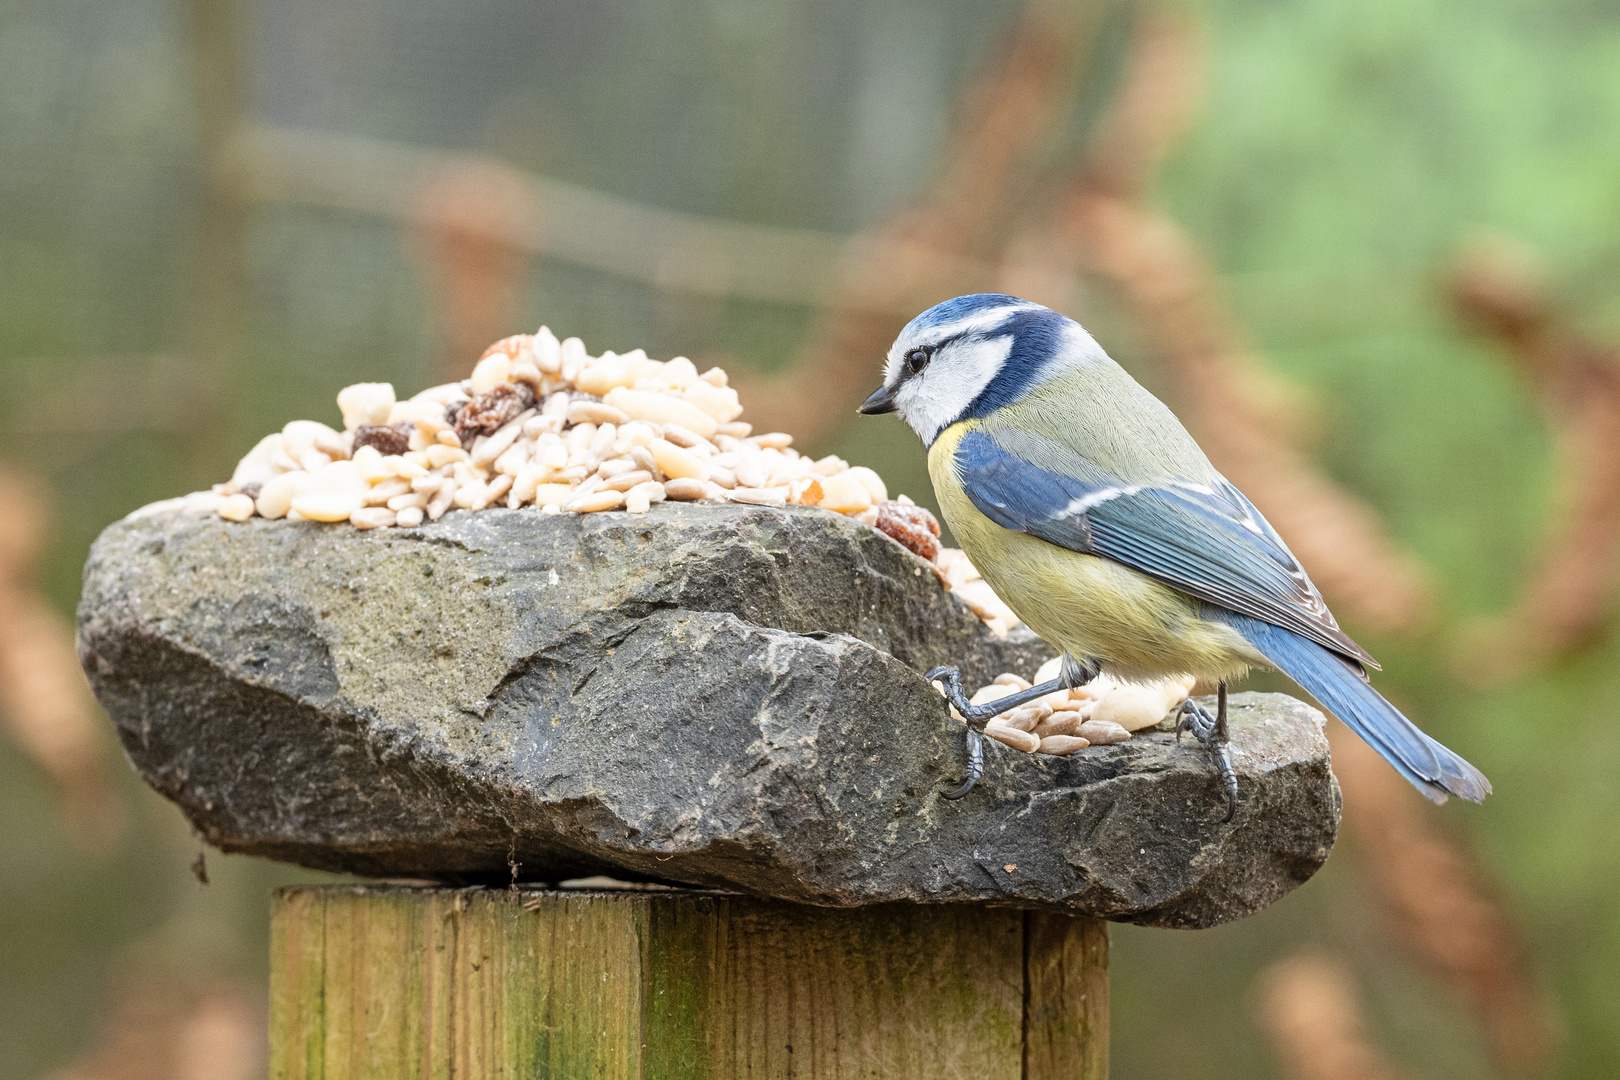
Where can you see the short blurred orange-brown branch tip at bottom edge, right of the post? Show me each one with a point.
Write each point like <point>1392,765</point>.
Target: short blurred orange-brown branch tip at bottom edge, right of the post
<point>1310,1010</point>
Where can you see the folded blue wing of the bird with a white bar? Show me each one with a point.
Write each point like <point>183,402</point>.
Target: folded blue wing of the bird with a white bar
<point>1204,540</point>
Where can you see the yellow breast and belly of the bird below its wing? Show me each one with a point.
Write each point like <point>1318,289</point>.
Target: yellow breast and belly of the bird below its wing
<point>1088,606</point>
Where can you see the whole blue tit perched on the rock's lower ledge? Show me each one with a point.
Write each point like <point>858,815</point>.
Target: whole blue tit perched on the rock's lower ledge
<point>1093,512</point>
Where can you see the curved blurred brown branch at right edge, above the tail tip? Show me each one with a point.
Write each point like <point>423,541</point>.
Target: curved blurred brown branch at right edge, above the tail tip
<point>1571,597</point>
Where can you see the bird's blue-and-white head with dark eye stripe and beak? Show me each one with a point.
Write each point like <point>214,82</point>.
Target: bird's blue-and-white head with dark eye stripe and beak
<point>973,355</point>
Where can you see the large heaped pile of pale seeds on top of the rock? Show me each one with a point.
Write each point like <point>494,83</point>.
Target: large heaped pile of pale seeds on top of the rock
<point>542,423</point>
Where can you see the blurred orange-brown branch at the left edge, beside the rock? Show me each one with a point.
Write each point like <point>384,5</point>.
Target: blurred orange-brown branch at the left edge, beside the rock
<point>45,699</point>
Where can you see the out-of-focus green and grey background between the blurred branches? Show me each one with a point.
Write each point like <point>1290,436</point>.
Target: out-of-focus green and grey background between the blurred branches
<point>163,305</point>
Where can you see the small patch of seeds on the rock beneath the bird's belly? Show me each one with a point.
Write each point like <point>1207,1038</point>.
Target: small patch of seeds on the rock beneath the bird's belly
<point>1101,713</point>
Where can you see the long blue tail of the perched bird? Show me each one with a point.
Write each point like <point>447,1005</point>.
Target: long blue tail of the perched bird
<point>1430,767</point>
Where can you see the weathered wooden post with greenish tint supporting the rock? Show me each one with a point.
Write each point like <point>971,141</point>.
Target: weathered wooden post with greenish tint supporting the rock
<point>393,982</point>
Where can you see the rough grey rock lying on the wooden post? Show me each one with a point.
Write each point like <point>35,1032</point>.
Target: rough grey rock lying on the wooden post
<point>723,697</point>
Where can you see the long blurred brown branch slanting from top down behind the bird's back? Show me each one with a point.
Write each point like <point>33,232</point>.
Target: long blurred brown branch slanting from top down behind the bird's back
<point>1243,417</point>
